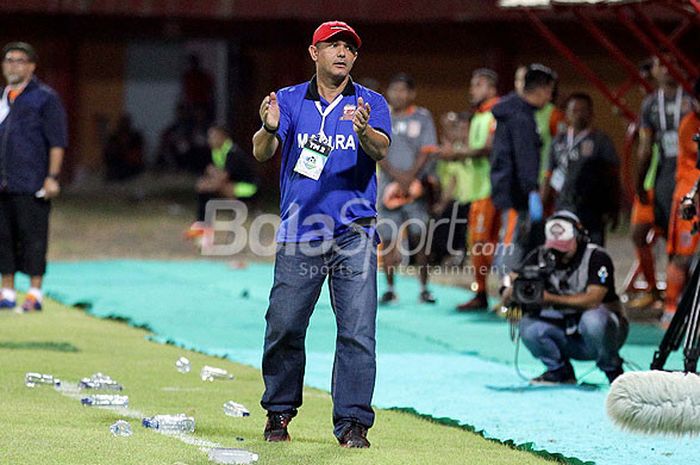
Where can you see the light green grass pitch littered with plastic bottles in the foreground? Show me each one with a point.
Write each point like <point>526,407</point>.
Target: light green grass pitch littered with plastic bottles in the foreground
<point>42,426</point>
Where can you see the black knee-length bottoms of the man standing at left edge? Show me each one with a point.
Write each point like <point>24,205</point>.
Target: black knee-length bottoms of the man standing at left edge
<point>24,231</point>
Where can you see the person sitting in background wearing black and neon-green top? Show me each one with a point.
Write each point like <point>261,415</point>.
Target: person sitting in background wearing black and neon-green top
<point>228,176</point>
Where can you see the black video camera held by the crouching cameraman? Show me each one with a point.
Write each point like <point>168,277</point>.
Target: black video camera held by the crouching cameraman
<point>529,286</point>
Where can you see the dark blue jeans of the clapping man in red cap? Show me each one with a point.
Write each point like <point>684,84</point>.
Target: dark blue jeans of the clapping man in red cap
<point>350,263</point>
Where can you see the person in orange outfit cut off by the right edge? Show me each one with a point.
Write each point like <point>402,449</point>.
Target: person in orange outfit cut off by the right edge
<point>682,243</point>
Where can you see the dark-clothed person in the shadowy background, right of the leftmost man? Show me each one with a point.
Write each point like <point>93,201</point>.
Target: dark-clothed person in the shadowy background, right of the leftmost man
<point>124,151</point>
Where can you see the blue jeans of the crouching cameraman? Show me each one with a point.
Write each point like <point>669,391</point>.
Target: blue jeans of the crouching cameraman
<point>599,336</point>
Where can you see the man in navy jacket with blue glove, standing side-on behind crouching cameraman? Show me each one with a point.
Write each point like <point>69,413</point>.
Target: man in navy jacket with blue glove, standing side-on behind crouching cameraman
<point>515,164</point>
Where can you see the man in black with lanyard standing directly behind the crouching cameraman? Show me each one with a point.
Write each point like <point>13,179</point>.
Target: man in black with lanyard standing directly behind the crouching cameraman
<point>583,171</point>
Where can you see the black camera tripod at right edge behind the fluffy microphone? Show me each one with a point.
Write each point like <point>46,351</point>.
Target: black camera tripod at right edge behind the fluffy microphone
<point>686,321</point>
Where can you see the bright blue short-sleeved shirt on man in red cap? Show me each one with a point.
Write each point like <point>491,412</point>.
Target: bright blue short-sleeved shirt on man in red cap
<point>347,189</point>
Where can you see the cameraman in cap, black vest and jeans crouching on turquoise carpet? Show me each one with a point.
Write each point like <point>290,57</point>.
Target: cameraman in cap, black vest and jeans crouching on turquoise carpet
<point>580,316</point>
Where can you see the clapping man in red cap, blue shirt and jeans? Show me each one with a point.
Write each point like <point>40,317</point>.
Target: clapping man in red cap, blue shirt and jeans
<point>332,132</point>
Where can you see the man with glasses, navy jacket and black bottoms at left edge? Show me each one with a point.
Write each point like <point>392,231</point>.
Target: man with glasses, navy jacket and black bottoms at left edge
<point>33,135</point>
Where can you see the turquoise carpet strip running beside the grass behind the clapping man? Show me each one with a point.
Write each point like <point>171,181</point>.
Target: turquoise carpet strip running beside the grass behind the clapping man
<point>430,358</point>
